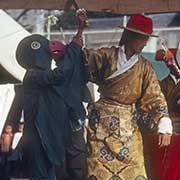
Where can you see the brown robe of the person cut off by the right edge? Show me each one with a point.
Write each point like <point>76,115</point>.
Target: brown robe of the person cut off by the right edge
<point>172,94</point>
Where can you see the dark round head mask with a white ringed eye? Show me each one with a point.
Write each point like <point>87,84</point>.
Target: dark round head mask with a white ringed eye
<point>33,51</point>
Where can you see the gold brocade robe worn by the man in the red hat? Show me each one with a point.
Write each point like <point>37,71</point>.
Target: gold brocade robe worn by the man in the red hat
<point>115,142</point>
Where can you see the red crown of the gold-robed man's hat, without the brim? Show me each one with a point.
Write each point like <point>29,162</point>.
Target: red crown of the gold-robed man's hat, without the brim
<point>140,23</point>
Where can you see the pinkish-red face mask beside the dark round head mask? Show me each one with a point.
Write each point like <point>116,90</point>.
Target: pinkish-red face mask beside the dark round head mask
<point>58,49</point>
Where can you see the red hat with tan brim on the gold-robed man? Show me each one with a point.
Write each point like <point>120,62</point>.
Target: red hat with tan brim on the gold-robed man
<point>140,24</point>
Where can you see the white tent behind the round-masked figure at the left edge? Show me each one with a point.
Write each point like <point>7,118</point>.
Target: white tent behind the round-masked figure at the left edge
<point>10,35</point>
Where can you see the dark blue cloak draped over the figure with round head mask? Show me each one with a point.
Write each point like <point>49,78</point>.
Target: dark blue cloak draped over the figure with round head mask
<point>49,99</point>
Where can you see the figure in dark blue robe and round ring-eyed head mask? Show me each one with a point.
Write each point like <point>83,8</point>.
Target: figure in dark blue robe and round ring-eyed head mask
<point>52,103</point>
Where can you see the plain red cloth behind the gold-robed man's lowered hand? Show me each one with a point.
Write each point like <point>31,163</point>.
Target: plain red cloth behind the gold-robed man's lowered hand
<point>165,161</point>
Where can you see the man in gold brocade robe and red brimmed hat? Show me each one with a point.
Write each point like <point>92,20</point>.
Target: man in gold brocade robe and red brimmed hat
<point>129,95</point>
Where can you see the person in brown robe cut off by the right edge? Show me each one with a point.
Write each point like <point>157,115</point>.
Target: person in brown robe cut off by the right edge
<point>170,84</point>
